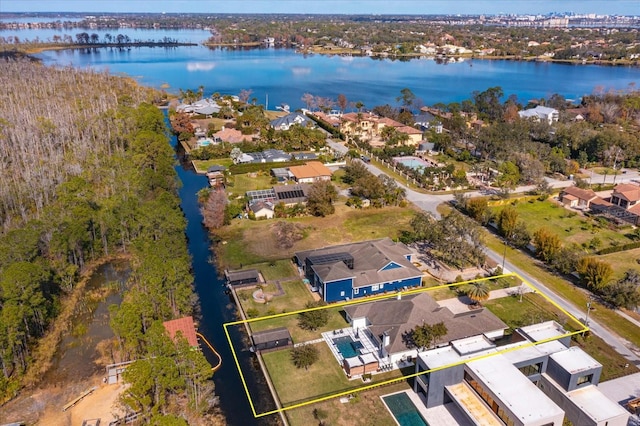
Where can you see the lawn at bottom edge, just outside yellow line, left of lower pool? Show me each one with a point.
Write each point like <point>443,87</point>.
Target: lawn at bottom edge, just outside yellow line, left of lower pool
<point>364,410</point>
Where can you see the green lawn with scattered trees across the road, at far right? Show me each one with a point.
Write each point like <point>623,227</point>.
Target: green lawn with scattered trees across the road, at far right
<point>566,224</point>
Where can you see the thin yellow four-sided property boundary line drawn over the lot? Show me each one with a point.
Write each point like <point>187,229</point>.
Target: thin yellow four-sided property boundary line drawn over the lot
<point>582,328</point>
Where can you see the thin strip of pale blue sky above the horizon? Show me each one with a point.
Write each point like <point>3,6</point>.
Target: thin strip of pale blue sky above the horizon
<point>421,7</point>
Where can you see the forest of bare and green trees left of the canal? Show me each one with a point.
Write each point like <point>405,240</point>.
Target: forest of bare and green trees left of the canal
<point>88,175</point>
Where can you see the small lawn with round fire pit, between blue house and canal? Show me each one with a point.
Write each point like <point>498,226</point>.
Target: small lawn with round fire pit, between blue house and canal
<point>295,298</point>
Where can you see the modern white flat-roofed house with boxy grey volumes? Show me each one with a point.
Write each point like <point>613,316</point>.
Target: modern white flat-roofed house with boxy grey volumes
<point>536,379</point>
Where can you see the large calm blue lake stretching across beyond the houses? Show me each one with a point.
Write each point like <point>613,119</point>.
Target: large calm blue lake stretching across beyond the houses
<point>285,76</point>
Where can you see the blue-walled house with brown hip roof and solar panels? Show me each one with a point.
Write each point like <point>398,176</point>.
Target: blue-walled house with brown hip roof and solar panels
<point>361,269</point>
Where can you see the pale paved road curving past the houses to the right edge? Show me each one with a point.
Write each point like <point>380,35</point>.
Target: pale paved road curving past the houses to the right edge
<point>430,202</point>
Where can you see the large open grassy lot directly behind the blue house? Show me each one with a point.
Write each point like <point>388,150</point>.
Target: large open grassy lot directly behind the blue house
<point>247,242</point>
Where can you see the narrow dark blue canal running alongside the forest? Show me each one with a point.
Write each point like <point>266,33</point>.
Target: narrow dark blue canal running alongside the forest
<point>217,308</point>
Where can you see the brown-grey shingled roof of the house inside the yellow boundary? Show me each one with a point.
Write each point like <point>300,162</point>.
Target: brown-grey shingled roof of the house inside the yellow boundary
<point>398,317</point>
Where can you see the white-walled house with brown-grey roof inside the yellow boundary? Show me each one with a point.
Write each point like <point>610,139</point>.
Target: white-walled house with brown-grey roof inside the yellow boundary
<point>389,322</point>
